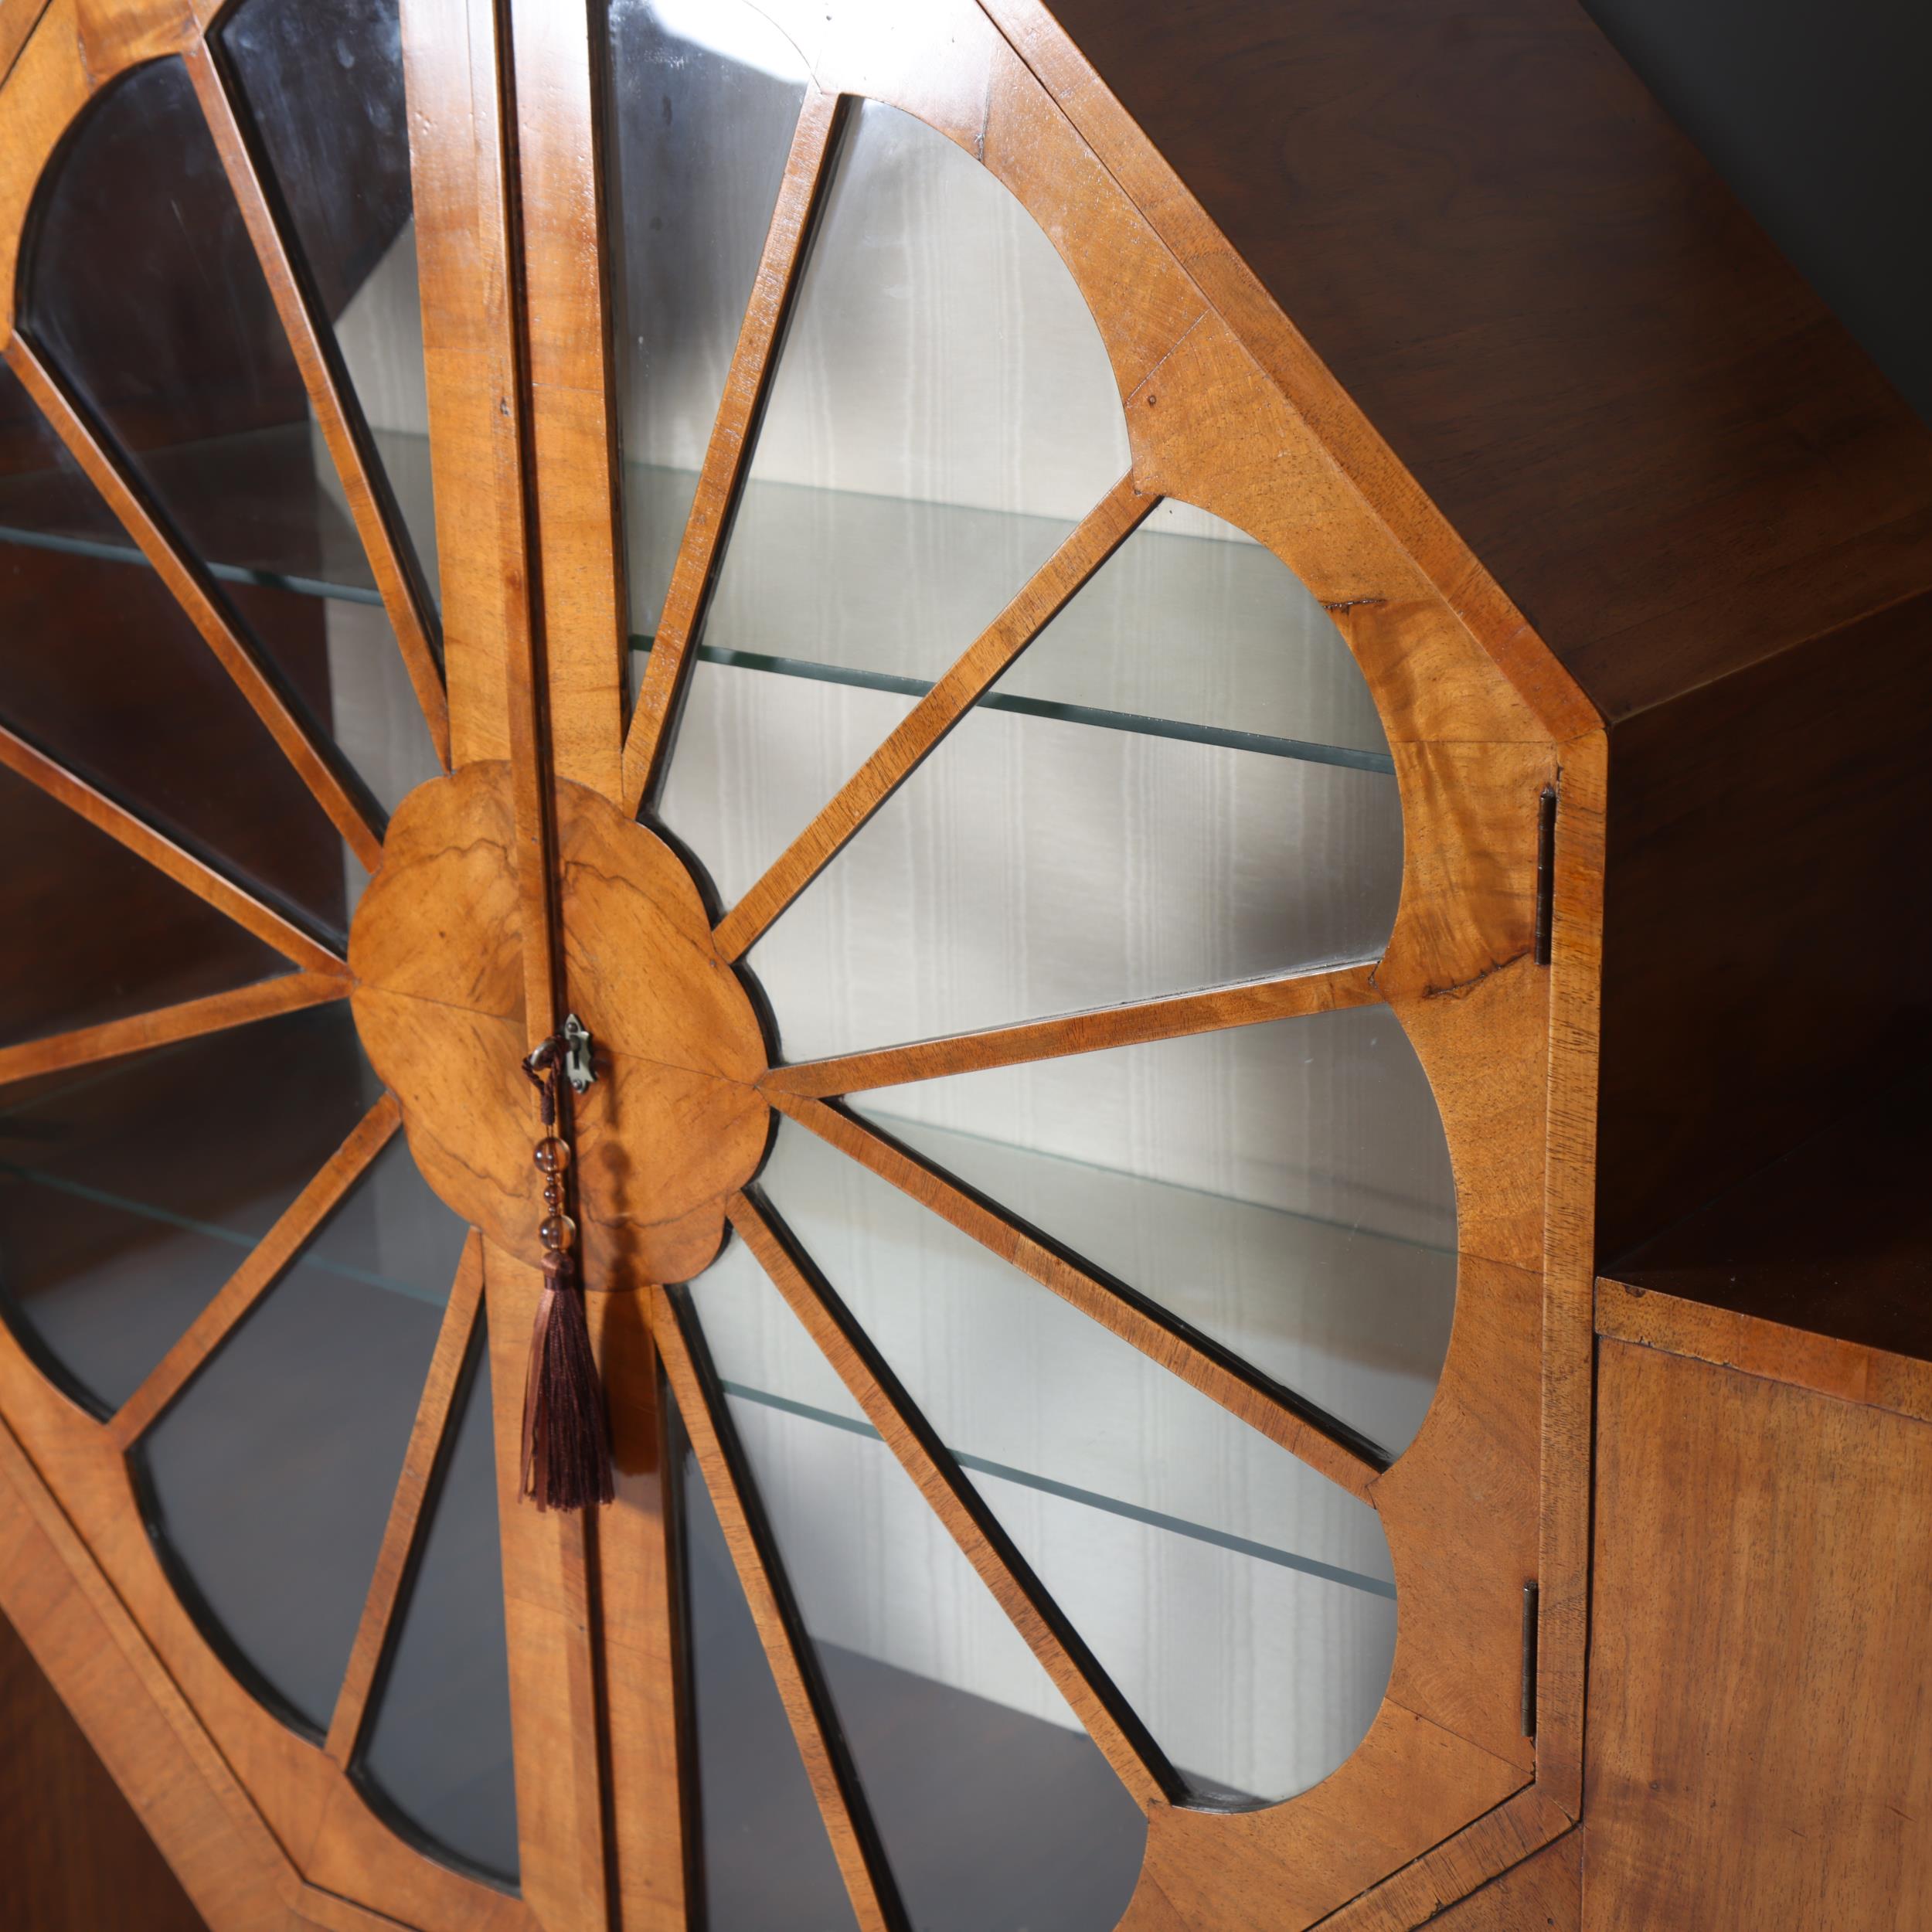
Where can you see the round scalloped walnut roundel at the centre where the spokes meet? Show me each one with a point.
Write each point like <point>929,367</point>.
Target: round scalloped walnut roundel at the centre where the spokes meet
<point>671,1127</point>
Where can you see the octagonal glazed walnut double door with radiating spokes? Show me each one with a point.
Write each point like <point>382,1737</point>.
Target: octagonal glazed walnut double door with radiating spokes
<point>729,523</point>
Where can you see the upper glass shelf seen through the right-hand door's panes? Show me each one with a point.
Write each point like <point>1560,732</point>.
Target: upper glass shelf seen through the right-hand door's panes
<point>1122,656</point>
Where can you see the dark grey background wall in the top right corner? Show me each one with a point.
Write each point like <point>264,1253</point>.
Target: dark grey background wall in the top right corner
<point>1819,115</point>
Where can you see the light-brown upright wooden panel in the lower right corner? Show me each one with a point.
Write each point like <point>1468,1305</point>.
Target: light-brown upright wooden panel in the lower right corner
<point>1761,1664</point>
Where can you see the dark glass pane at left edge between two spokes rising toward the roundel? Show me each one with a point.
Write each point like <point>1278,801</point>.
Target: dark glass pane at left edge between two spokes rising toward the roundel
<point>132,1191</point>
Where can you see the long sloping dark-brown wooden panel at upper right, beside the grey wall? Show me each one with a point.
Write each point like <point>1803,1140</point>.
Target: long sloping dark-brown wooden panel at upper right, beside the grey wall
<point>1570,331</point>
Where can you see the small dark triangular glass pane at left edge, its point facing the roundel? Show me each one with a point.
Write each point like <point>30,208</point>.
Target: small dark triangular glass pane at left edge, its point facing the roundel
<point>98,934</point>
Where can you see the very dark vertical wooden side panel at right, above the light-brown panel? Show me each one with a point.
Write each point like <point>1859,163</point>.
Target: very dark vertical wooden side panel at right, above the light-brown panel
<point>1767,946</point>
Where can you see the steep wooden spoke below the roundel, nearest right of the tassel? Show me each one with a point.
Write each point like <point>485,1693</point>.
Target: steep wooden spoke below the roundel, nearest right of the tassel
<point>781,1628</point>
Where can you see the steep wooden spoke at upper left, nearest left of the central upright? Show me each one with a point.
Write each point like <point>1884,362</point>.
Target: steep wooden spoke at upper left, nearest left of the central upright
<point>331,395</point>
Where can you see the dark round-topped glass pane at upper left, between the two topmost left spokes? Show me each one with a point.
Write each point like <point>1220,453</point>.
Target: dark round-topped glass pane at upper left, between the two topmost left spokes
<point>144,291</point>
